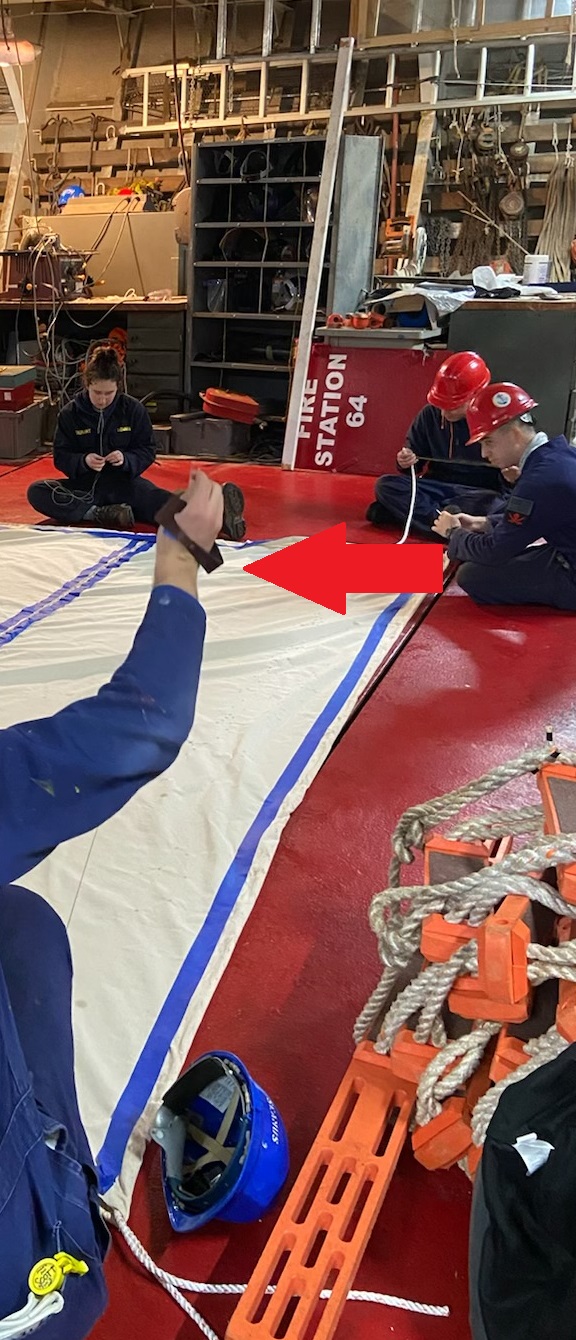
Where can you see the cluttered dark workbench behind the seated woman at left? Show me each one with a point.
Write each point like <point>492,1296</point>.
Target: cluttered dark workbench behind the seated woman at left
<point>156,338</point>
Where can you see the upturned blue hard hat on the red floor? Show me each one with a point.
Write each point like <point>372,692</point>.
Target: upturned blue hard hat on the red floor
<point>224,1145</point>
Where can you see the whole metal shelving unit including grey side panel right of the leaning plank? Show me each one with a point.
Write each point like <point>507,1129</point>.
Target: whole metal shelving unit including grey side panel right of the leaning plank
<point>251,242</point>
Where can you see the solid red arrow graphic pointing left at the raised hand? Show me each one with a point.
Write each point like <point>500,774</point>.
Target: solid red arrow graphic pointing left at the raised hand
<point>326,569</point>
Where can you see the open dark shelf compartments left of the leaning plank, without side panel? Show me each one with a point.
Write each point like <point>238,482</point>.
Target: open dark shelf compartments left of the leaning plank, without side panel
<point>251,239</point>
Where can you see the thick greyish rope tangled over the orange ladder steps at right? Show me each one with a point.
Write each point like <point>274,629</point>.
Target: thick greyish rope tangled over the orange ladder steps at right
<point>397,916</point>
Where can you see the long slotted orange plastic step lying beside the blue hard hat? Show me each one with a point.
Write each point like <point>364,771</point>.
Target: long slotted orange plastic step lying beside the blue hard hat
<point>325,1227</point>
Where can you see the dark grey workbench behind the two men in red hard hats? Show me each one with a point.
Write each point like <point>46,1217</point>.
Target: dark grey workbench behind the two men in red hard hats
<point>528,341</point>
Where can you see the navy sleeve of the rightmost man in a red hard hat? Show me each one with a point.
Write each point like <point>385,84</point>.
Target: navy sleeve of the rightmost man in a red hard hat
<point>526,519</point>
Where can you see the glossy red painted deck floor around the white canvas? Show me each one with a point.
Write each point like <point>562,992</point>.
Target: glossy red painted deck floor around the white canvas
<point>471,689</point>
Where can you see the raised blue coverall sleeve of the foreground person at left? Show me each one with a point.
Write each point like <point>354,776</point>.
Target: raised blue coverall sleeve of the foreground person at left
<point>66,775</point>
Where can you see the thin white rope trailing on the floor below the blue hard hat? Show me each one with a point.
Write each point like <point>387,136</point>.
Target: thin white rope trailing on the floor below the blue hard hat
<point>173,1286</point>
